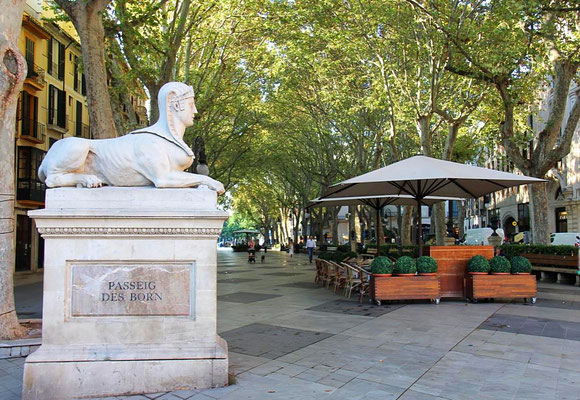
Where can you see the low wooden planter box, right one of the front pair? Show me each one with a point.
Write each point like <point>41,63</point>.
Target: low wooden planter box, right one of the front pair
<point>501,286</point>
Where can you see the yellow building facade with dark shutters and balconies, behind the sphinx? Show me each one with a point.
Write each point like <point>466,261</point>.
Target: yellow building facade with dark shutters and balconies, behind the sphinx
<point>52,105</point>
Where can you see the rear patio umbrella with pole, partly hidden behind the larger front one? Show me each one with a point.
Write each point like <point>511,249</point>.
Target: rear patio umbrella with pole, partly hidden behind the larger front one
<point>376,202</point>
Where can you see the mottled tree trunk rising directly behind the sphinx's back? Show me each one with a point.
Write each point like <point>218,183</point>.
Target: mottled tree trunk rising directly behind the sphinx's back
<point>86,16</point>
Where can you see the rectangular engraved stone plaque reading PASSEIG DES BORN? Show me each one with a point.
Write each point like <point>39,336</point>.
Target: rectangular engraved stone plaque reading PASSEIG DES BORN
<point>131,289</point>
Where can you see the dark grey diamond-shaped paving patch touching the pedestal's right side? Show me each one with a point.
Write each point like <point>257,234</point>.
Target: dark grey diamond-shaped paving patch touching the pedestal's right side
<point>269,341</point>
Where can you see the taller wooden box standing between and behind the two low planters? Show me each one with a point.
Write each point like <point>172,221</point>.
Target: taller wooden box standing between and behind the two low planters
<point>452,266</point>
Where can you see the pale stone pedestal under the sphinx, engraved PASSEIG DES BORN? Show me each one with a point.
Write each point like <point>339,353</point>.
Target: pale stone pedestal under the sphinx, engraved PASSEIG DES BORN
<point>129,293</point>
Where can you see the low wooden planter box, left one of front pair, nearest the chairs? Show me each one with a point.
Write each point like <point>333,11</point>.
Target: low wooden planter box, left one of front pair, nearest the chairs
<point>405,288</point>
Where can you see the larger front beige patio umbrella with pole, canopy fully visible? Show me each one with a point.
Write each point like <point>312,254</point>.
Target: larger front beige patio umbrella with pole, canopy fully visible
<point>422,176</point>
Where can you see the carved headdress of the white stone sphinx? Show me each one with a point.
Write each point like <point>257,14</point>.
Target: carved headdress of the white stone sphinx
<point>170,99</point>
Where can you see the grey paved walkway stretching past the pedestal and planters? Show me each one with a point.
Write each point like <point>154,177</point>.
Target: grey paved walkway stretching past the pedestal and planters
<point>289,339</point>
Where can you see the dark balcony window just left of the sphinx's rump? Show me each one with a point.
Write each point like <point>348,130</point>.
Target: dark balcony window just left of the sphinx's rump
<point>29,186</point>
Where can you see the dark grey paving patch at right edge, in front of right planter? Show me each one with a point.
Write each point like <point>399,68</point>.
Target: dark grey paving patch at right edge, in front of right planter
<point>533,326</point>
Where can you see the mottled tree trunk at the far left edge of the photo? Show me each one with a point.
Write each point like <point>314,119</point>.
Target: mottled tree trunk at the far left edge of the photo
<point>12,73</point>
